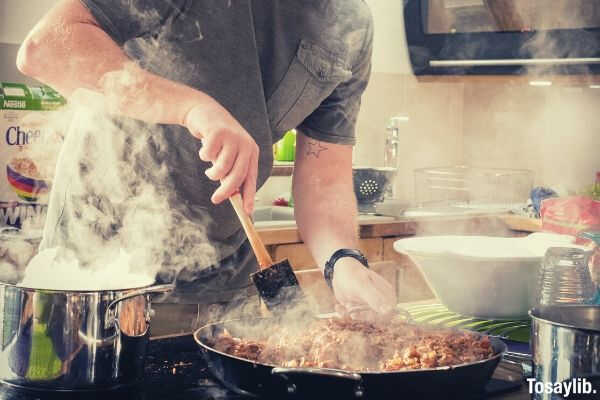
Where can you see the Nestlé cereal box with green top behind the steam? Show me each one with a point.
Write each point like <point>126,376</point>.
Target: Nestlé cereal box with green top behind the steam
<point>28,151</point>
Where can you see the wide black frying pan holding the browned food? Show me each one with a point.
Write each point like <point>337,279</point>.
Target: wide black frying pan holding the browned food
<point>255,379</point>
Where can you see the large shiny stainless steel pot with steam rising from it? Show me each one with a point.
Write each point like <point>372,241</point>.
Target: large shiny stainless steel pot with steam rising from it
<point>74,340</point>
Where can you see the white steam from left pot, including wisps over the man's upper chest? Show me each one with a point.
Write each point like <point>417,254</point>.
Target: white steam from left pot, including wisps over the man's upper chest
<point>121,213</point>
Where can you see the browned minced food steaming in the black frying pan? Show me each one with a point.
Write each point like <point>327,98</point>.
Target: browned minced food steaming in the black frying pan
<point>359,346</point>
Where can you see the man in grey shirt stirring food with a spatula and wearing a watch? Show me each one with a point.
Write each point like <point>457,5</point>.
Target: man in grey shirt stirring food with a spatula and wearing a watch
<point>235,74</point>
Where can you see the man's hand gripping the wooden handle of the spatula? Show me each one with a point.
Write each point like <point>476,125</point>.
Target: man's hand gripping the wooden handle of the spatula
<point>230,148</point>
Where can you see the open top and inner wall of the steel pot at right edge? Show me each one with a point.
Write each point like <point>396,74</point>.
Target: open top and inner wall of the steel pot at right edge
<point>576,316</point>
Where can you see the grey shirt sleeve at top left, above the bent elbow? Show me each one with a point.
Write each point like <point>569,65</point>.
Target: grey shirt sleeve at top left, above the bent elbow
<point>123,20</point>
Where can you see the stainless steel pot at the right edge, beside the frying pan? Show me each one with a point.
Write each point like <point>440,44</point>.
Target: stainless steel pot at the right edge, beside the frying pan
<point>565,343</point>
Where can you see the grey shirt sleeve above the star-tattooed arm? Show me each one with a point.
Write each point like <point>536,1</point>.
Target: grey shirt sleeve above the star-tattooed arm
<point>334,121</point>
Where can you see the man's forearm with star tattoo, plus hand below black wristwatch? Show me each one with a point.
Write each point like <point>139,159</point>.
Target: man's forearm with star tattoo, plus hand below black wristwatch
<point>326,213</point>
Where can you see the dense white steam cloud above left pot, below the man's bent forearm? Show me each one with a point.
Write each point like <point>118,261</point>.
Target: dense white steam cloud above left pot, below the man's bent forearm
<point>121,203</point>
